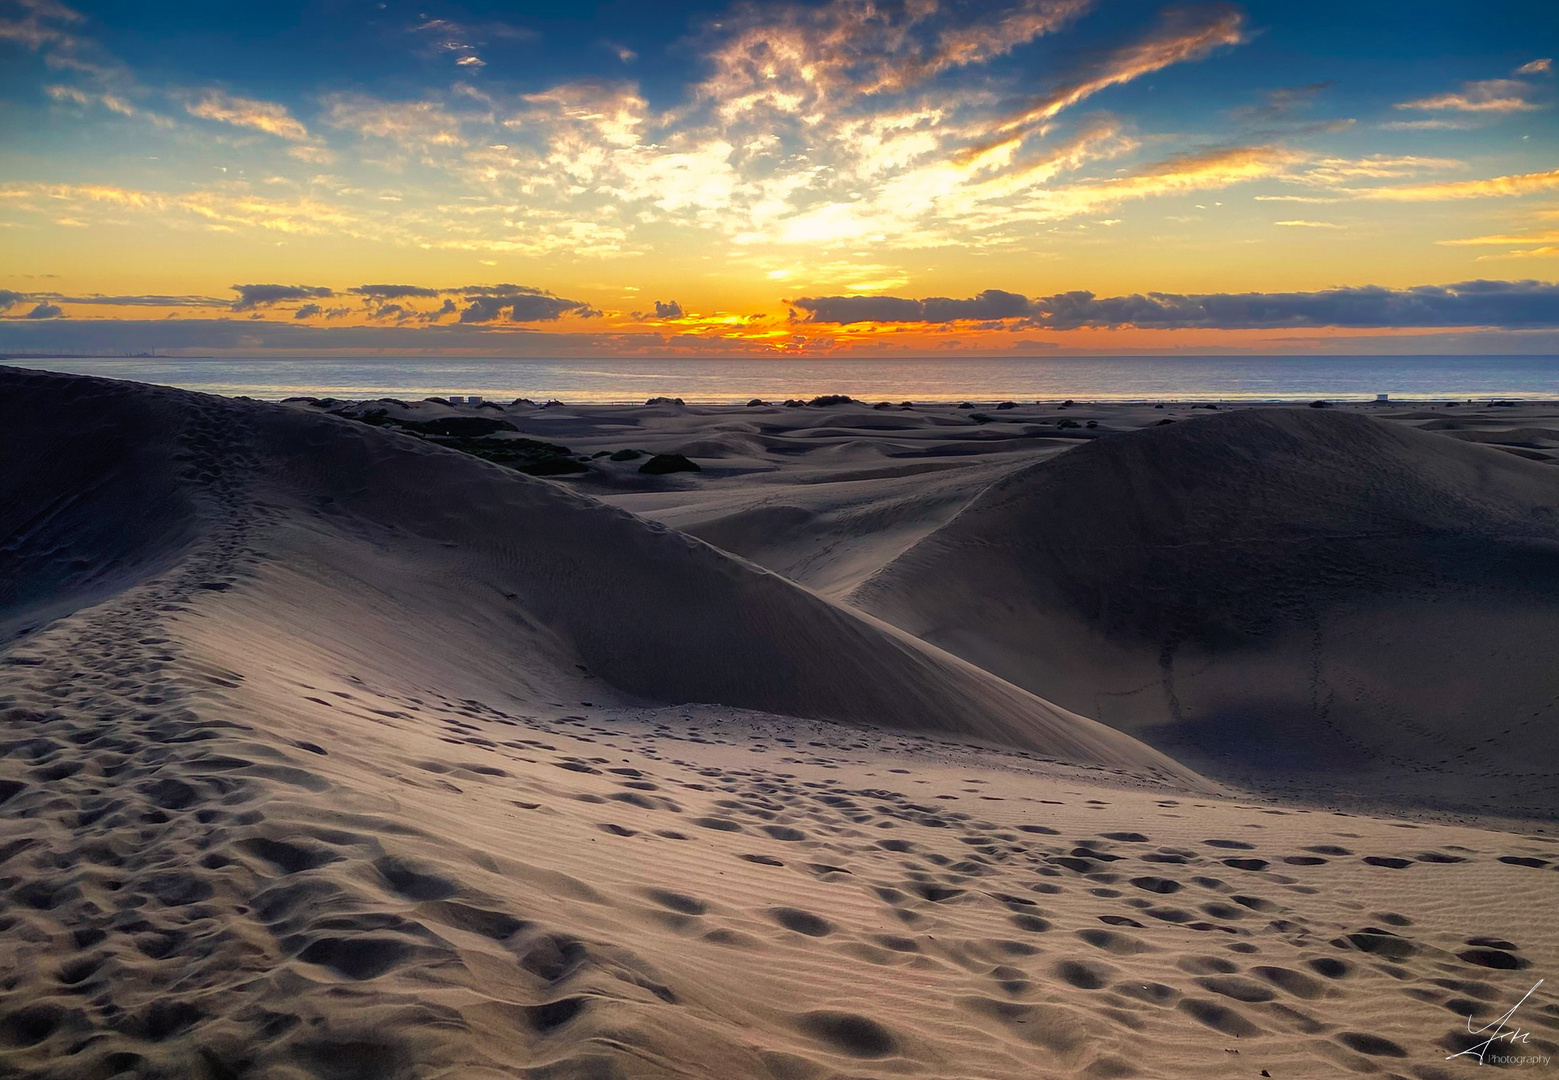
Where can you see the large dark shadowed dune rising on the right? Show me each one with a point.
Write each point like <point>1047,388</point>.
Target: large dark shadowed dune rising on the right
<point>1273,596</point>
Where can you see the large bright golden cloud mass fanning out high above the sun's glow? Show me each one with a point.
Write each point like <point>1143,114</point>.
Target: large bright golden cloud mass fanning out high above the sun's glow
<point>821,124</point>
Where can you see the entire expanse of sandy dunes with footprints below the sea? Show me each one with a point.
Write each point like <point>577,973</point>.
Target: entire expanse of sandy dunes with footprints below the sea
<point>855,739</point>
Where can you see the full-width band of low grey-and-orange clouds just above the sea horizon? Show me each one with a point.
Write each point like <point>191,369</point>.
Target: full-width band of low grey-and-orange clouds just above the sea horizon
<point>406,319</point>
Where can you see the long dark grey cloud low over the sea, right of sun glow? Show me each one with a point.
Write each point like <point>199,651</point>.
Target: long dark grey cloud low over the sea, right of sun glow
<point>1466,305</point>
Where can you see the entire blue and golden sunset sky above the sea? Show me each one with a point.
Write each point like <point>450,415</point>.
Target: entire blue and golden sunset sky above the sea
<point>730,180</point>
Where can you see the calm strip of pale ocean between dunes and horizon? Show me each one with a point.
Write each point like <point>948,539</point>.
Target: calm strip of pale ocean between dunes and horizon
<point>1120,379</point>
